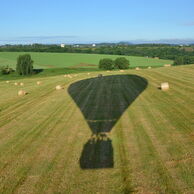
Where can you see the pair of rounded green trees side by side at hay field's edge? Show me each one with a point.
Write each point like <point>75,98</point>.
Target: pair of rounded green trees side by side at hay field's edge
<point>109,64</point>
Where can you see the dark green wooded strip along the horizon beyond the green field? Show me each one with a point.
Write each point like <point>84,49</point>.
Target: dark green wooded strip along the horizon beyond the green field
<point>147,50</point>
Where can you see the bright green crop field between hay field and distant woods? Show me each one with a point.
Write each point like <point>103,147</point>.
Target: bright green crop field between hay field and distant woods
<point>60,60</point>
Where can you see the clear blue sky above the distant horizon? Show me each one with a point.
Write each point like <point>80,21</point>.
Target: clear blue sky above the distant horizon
<point>25,21</point>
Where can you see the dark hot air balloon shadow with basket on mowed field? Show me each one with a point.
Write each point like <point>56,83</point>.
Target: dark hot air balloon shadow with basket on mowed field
<point>103,100</point>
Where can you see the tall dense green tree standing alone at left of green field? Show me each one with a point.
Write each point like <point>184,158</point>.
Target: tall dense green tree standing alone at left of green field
<point>24,65</point>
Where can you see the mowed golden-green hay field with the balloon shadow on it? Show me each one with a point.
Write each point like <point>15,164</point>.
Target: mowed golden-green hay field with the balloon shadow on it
<point>143,138</point>
